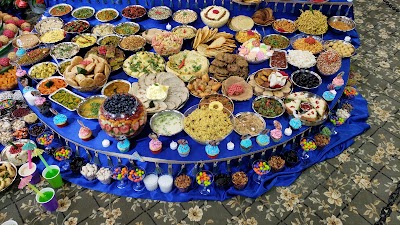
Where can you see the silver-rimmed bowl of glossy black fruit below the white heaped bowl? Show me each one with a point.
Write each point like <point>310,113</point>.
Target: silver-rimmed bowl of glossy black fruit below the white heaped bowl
<point>306,79</point>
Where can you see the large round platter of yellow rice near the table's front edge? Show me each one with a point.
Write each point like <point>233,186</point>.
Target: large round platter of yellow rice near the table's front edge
<point>209,122</point>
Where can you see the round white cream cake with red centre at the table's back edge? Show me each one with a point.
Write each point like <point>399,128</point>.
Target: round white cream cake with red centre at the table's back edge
<point>215,16</point>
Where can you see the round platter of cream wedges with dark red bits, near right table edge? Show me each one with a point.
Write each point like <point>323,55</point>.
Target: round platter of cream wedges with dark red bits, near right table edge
<point>311,109</point>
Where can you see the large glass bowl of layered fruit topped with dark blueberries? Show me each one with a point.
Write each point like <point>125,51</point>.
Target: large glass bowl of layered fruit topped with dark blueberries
<point>122,116</point>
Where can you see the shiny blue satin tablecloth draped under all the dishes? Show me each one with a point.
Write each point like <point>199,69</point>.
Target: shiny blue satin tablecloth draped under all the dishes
<point>354,126</point>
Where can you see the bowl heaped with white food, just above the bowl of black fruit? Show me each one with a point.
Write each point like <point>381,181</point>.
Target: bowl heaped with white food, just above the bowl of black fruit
<point>301,59</point>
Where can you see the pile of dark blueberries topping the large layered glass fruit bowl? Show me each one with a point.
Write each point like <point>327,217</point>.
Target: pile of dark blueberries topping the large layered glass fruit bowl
<point>120,104</point>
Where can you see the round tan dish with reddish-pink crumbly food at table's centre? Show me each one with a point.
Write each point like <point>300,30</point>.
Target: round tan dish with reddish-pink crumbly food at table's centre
<point>237,88</point>
